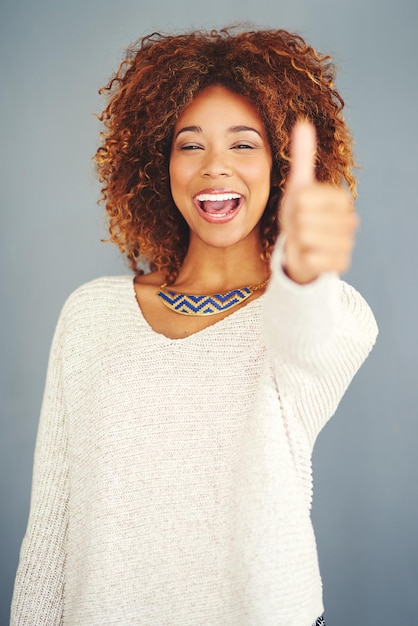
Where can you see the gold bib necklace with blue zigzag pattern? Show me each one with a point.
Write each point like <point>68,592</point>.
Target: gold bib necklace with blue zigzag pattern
<point>190,304</point>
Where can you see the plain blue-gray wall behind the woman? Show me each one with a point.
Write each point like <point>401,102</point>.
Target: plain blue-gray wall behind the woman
<point>54,56</point>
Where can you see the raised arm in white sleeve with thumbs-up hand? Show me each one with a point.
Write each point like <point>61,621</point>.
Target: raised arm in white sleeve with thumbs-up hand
<point>317,328</point>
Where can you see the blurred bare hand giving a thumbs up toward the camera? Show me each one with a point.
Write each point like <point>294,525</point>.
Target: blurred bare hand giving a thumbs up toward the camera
<point>318,219</point>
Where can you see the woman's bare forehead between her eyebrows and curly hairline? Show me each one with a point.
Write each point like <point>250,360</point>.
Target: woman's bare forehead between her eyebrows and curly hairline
<point>217,104</point>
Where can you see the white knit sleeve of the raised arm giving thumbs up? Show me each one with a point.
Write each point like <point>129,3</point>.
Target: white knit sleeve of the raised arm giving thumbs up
<point>318,335</point>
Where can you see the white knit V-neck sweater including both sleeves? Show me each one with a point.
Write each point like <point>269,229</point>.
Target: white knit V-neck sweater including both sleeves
<point>172,480</point>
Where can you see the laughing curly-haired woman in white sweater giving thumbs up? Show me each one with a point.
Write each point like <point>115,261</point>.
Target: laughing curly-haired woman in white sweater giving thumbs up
<point>172,480</point>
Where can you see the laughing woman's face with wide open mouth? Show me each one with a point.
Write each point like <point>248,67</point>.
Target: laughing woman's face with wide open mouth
<point>220,168</point>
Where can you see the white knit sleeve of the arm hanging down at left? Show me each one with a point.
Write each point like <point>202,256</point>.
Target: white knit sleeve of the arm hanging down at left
<point>38,591</point>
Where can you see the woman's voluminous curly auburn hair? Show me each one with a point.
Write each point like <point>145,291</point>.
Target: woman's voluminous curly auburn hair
<point>283,77</point>
